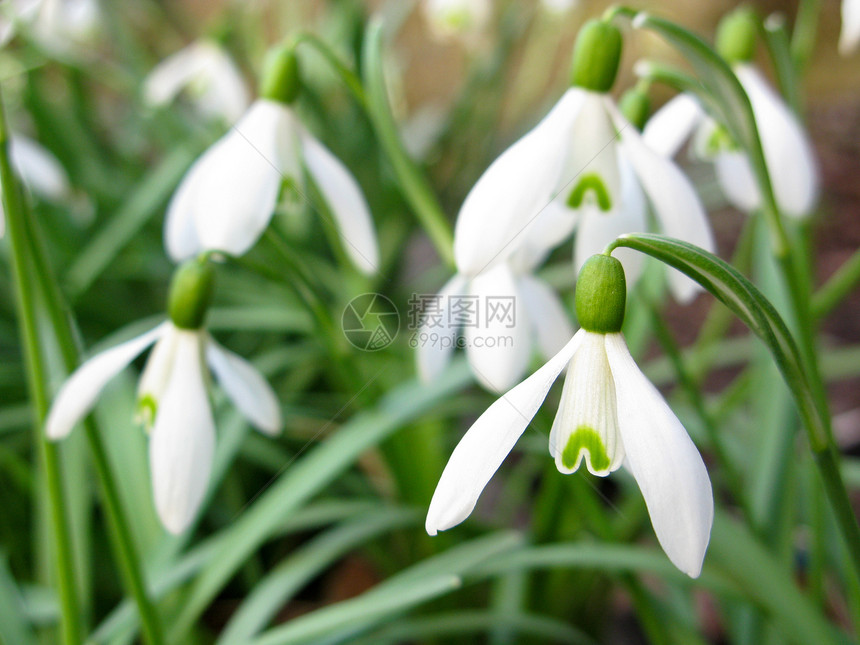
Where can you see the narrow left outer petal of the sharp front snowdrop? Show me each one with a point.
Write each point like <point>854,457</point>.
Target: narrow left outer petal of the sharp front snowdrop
<point>486,444</point>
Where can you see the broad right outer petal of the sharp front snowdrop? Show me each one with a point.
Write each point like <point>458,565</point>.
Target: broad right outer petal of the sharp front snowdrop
<point>664,461</point>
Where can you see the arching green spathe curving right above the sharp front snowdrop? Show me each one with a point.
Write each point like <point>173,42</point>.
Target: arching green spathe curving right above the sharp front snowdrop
<point>744,299</point>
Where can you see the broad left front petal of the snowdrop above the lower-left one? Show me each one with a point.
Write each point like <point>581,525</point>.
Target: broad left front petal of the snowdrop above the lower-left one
<point>236,183</point>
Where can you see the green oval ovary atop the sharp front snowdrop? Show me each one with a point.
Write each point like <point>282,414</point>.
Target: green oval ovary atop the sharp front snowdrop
<point>601,294</point>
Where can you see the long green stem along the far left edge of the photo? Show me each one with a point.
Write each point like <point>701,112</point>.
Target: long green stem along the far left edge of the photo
<point>38,386</point>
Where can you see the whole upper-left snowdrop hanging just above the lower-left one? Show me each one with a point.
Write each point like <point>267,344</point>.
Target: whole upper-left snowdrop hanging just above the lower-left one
<point>227,197</point>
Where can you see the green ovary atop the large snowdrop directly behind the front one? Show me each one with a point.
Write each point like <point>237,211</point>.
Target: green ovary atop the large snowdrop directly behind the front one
<point>596,56</point>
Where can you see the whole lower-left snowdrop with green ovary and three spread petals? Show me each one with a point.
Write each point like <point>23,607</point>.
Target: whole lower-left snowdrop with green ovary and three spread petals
<point>172,396</point>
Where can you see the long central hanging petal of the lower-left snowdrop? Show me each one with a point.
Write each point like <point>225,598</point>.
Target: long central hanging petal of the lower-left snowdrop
<point>183,438</point>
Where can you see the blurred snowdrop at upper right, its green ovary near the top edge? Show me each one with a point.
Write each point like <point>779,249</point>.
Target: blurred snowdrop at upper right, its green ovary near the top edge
<point>788,153</point>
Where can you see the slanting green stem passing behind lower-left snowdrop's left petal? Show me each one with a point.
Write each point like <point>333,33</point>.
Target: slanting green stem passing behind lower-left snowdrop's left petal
<point>122,540</point>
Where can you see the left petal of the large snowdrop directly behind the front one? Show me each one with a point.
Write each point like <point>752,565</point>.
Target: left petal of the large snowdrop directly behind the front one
<point>511,193</point>
